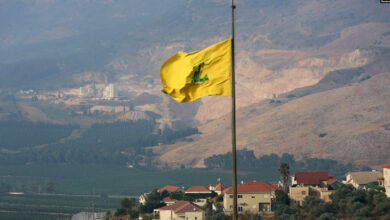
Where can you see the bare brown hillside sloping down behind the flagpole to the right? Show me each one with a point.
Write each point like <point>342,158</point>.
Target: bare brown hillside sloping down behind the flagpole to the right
<point>348,124</point>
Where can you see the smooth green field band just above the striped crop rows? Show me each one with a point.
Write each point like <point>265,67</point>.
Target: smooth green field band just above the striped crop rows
<point>90,179</point>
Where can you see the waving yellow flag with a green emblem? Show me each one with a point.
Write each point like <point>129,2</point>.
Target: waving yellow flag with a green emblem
<point>187,77</point>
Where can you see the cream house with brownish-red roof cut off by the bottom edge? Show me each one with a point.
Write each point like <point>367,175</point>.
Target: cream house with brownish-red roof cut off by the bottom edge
<point>182,210</point>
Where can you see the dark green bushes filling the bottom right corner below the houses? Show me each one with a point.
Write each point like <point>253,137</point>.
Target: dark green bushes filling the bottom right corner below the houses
<point>347,202</point>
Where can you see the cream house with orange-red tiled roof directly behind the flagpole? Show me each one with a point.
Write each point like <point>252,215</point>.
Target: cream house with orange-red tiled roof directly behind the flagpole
<point>253,196</point>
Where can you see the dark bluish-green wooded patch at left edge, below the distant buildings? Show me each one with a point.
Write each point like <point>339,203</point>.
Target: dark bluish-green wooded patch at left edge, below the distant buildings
<point>21,134</point>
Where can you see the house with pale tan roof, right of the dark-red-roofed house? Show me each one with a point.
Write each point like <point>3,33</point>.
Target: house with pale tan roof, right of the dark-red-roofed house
<point>359,180</point>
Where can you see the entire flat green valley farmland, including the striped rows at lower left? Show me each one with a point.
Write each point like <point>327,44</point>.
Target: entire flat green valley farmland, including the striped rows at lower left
<point>76,187</point>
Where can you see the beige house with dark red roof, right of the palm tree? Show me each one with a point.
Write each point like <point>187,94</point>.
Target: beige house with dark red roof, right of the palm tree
<point>313,183</point>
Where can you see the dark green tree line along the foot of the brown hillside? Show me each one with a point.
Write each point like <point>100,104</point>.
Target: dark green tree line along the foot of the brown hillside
<point>247,161</point>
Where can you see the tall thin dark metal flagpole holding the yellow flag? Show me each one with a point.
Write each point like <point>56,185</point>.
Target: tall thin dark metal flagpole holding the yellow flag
<point>233,90</point>
